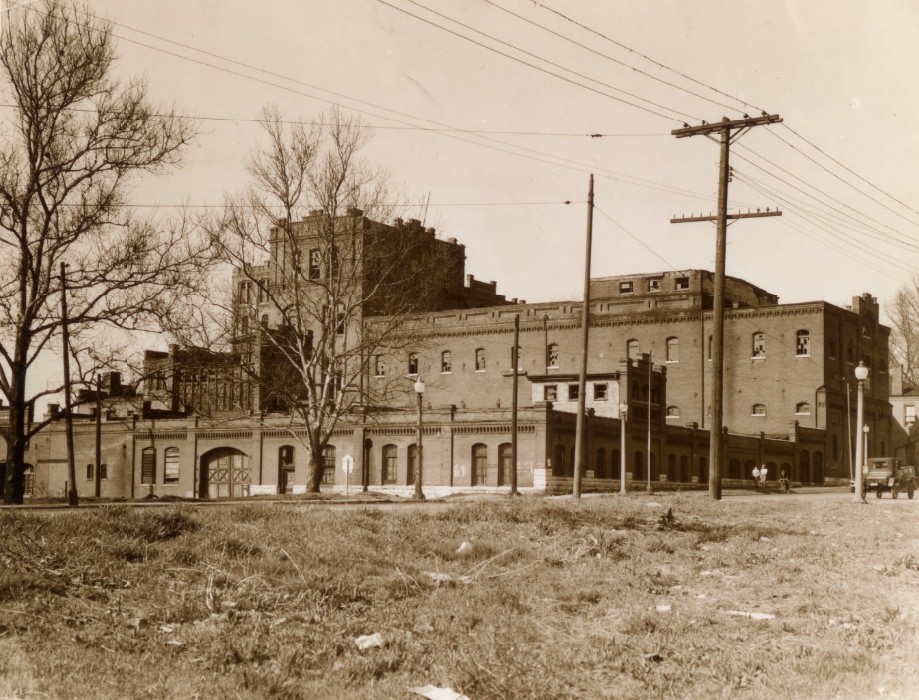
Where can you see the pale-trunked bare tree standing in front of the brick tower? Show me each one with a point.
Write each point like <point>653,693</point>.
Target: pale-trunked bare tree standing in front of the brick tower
<point>323,290</point>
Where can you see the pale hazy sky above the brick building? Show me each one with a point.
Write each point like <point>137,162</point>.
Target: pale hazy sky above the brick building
<point>839,72</point>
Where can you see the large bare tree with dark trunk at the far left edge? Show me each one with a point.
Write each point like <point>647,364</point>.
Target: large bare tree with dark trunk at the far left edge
<point>75,142</point>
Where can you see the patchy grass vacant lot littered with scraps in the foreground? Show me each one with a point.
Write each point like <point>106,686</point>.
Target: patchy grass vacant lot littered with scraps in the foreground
<point>664,596</point>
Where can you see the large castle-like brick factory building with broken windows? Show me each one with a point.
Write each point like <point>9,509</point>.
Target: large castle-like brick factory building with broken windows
<point>199,428</point>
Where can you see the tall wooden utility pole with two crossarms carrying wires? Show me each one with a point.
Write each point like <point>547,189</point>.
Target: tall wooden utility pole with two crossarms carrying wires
<point>729,131</point>
